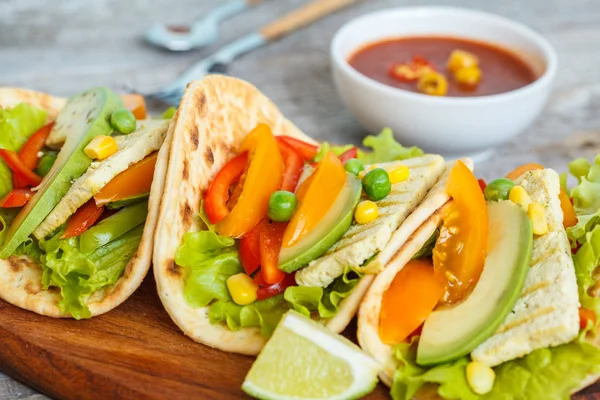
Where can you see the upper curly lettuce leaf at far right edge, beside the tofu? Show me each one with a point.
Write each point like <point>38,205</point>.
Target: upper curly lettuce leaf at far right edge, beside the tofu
<point>586,197</point>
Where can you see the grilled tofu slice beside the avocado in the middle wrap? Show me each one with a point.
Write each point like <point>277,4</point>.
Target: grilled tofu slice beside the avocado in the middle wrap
<point>361,242</point>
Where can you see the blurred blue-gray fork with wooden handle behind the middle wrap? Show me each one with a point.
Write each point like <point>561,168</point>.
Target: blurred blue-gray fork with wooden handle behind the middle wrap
<point>218,61</point>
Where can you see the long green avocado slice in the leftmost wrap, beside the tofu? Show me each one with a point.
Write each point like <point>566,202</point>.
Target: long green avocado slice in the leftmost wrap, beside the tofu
<point>84,117</point>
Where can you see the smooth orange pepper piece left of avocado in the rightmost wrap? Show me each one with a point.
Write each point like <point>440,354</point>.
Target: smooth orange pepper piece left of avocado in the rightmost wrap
<point>408,302</point>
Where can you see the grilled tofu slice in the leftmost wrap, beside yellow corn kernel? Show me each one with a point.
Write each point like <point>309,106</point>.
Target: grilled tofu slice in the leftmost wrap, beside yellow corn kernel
<point>132,148</point>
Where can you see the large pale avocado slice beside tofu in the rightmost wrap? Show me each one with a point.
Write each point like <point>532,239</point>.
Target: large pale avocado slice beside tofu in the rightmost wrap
<point>453,332</point>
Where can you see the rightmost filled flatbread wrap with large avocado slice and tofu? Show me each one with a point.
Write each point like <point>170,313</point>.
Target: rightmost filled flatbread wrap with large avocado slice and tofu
<point>495,296</point>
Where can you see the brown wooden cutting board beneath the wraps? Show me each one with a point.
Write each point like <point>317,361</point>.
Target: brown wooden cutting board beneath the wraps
<point>133,352</point>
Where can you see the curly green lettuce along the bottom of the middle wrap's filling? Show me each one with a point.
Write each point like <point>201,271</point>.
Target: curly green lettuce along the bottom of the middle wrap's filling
<point>209,260</point>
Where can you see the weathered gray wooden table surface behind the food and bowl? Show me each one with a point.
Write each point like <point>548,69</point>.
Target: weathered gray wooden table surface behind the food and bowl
<point>64,46</point>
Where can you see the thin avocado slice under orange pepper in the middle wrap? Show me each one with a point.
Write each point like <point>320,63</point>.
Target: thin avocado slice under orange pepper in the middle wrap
<point>328,231</point>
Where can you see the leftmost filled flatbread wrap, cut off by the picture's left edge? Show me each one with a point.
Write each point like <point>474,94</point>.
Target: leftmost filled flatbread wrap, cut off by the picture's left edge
<point>80,181</point>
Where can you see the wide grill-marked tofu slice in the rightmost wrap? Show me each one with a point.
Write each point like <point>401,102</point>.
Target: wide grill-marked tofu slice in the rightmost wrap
<point>547,313</point>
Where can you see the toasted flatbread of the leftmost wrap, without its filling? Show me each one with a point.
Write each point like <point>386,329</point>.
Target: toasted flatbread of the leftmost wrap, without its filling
<point>20,277</point>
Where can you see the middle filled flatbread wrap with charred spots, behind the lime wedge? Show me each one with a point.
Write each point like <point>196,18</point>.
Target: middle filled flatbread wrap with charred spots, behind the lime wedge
<point>257,218</point>
